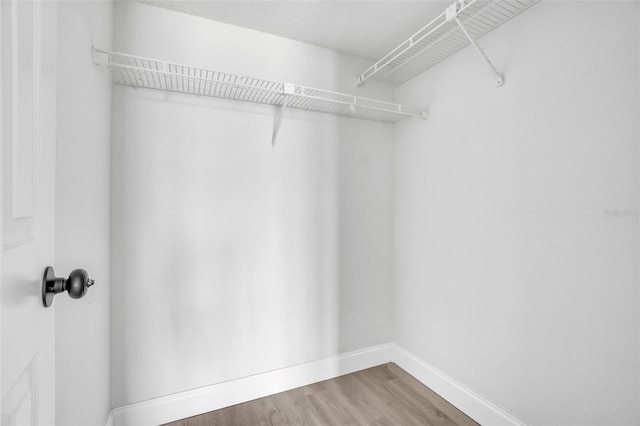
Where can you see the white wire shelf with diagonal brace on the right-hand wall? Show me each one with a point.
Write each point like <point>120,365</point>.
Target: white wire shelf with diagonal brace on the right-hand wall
<point>458,26</point>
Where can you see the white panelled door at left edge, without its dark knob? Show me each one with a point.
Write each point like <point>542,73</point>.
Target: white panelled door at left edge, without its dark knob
<point>27,132</point>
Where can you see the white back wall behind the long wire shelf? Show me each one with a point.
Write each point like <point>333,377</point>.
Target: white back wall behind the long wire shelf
<point>230,257</point>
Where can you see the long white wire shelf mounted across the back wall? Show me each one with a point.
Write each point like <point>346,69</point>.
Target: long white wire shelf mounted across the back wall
<point>137,71</point>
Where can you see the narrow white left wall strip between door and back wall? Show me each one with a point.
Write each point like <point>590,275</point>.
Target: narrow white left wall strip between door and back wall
<point>82,213</point>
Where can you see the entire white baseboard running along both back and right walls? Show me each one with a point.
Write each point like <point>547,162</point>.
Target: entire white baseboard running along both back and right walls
<point>191,403</point>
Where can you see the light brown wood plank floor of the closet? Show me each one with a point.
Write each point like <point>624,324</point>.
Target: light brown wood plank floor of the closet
<point>383,395</point>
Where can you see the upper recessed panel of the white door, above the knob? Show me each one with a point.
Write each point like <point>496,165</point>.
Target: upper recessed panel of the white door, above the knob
<point>21,76</point>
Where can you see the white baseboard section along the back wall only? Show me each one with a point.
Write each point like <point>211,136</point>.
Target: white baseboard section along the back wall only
<point>191,403</point>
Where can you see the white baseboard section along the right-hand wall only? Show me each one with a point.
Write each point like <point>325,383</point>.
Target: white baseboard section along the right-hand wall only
<point>470,403</point>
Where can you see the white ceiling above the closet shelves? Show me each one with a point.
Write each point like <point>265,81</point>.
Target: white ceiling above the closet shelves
<point>368,29</point>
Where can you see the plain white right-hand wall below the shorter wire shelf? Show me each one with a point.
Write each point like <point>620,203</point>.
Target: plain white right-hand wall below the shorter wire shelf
<point>516,217</point>
